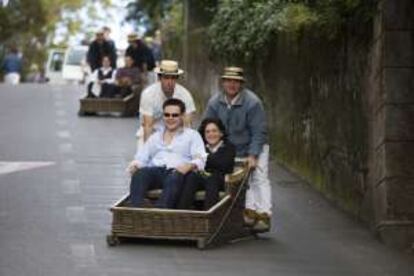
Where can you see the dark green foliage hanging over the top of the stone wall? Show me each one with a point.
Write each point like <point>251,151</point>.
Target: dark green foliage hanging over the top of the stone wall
<point>242,28</point>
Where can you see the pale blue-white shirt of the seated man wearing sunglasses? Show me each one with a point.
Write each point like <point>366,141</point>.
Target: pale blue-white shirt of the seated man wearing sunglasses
<point>187,146</point>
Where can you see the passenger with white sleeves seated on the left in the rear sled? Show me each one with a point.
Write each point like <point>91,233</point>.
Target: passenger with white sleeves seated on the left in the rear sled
<point>102,81</point>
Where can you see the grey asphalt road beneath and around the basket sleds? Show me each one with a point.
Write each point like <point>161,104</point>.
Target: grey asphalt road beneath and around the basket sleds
<point>59,174</point>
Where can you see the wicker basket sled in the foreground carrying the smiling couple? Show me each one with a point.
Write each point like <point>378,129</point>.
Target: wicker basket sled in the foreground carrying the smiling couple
<point>223,221</point>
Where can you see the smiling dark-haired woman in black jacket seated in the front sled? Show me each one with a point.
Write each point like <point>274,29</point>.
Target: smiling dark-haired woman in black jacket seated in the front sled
<point>220,161</point>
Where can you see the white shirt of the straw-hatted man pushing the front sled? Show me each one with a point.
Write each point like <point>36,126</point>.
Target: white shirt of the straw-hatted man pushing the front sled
<point>152,99</point>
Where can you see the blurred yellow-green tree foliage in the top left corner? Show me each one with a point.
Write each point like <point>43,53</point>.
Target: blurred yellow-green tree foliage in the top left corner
<point>31,25</point>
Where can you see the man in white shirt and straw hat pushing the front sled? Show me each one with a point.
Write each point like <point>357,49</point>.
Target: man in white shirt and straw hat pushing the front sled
<point>153,97</point>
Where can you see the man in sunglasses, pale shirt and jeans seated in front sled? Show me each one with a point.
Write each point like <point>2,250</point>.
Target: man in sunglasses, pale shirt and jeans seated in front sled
<point>167,156</point>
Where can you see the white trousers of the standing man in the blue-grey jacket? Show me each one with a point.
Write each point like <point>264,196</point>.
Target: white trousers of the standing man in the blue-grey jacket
<point>259,194</point>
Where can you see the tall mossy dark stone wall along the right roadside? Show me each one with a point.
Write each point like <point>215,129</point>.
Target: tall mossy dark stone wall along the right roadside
<point>340,111</point>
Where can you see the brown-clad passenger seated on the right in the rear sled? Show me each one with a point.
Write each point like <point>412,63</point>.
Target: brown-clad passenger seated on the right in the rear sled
<point>127,78</point>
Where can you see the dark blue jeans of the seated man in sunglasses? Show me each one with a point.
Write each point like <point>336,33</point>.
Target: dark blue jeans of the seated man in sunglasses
<point>147,178</point>
